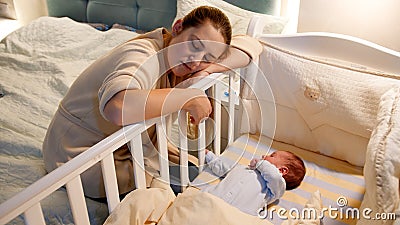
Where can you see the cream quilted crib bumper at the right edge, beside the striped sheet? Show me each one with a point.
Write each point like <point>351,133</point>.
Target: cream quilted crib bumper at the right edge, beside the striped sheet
<point>382,165</point>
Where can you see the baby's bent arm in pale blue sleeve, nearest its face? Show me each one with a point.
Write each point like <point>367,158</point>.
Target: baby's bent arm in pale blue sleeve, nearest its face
<point>275,182</point>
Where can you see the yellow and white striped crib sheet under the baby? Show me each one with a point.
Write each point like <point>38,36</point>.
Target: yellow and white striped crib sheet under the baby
<point>340,184</point>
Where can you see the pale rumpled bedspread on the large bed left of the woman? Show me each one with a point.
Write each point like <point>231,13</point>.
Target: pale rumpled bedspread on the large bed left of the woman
<point>38,63</point>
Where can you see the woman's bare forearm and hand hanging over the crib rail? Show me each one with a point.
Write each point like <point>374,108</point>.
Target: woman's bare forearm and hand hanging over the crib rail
<point>131,106</point>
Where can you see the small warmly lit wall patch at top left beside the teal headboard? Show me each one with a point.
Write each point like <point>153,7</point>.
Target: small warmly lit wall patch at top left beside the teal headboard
<point>28,10</point>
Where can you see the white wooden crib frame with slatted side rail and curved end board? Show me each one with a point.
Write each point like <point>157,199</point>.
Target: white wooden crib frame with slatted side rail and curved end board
<point>320,45</point>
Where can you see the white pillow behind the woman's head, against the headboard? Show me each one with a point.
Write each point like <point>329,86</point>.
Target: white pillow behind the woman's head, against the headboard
<point>238,17</point>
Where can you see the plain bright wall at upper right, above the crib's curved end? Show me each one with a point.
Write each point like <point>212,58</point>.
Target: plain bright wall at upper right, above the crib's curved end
<point>373,20</point>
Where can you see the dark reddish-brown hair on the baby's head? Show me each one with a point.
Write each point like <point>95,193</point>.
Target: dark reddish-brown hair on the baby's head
<point>296,173</point>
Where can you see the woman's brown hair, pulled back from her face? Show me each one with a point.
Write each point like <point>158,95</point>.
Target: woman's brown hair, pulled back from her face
<point>216,17</point>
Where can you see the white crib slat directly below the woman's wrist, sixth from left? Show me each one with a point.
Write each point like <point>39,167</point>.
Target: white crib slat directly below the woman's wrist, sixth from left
<point>184,158</point>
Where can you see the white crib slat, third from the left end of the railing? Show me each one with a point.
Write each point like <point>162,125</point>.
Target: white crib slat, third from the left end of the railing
<point>110,182</point>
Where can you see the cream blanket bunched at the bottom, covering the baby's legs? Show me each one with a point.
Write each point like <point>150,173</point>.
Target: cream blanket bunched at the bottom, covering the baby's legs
<point>159,206</point>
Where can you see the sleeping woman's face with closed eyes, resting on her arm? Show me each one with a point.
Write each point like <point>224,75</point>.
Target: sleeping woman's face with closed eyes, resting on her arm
<point>194,48</point>
